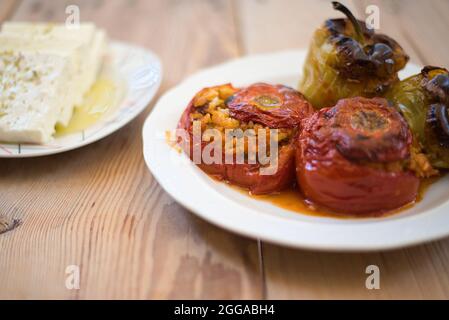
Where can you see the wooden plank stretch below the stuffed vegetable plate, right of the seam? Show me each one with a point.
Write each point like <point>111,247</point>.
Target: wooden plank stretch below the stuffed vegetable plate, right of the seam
<point>415,273</point>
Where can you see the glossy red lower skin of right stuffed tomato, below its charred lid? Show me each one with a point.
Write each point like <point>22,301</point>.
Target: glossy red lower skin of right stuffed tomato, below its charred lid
<point>330,180</point>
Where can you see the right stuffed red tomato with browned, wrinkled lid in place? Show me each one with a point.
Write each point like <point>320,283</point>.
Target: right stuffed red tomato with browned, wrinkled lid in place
<point>356,158</point>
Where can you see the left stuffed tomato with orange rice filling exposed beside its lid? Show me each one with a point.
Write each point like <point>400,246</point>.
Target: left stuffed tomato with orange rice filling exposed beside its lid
<point>237,115</point>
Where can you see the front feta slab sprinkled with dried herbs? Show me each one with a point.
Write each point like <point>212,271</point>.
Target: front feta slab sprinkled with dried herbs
<point>31,93</point>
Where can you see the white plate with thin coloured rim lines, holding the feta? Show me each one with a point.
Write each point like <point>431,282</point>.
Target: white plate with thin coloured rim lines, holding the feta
<point>139,70</point>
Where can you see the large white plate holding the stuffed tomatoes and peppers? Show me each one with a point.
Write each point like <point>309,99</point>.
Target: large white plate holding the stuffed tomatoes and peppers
<point>232,210</point>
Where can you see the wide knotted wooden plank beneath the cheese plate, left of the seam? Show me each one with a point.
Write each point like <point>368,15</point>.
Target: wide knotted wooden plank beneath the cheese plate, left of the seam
<point>99,208</point>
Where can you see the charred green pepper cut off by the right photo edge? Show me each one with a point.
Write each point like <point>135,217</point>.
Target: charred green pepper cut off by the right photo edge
<point>423,100</point>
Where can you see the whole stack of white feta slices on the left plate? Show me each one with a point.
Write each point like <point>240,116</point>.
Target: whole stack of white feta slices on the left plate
<point>64,64</point>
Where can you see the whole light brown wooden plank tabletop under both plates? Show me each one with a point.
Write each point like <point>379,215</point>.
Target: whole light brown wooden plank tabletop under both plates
<point>99,207</point>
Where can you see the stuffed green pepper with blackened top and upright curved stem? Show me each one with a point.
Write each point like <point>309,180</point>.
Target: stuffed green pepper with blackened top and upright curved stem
<point>346,59</point>
